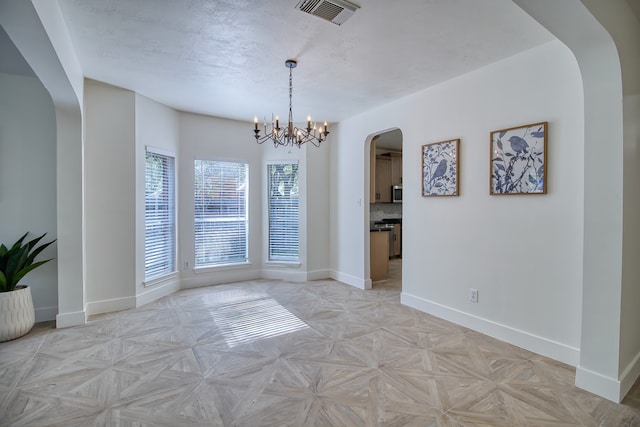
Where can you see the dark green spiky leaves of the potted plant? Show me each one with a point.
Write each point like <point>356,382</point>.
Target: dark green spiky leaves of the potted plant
<point>19,260</point>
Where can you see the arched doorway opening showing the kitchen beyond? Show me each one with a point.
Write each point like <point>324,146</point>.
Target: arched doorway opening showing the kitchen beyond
<point>383,251</point>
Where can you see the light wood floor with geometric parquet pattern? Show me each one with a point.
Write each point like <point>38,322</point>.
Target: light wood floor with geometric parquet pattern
<point>270,353</point>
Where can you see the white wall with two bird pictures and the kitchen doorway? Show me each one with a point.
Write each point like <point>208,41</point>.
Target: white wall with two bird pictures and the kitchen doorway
<point>523,253</point>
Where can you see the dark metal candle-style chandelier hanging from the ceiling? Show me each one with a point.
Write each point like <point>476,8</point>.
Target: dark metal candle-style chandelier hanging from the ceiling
<point>291,135</point>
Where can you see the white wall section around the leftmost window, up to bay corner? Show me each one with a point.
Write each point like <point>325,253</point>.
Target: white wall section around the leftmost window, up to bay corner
<point>120,124</point>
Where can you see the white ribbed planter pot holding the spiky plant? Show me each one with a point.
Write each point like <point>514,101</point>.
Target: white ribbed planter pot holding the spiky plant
<point>17,315</point>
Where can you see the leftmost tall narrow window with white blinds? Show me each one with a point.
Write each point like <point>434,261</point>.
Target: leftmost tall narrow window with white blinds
<point>159,215</point>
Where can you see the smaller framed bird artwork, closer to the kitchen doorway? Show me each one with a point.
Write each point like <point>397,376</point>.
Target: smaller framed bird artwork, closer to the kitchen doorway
<point>440,161</point>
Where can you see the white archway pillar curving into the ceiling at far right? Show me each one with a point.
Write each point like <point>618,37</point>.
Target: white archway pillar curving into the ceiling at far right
<point>586,28</point>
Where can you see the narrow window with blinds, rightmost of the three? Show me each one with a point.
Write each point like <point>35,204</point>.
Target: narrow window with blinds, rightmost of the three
<point>284,198</point>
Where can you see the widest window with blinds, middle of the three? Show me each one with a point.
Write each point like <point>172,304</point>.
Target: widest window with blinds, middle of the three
<point>220,209</point>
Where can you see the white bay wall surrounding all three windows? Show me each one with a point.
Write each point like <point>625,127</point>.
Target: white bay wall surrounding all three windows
<point>119,125</point>
